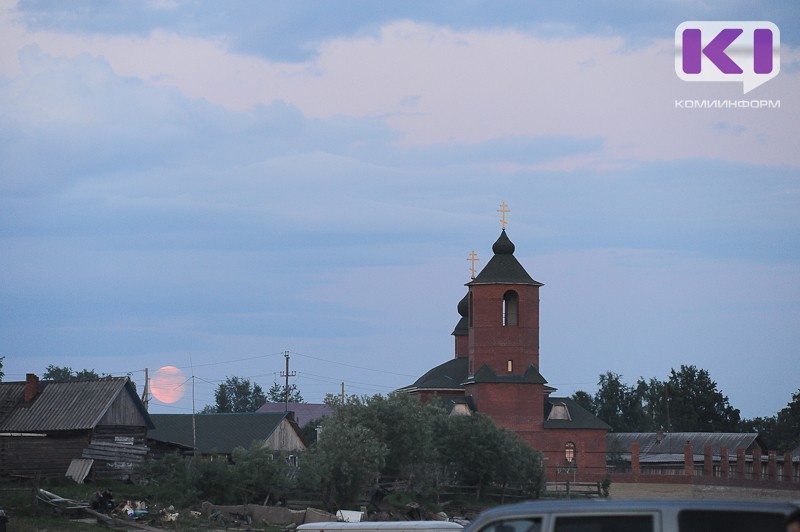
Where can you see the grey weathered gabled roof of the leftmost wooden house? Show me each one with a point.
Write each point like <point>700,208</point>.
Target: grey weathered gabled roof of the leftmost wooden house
<point>64,405</point>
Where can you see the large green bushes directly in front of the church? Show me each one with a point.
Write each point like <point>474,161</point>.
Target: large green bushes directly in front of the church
<point>422,445</point>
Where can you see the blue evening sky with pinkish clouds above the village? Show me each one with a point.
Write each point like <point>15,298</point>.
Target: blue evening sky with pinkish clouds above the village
<point>214,185</point>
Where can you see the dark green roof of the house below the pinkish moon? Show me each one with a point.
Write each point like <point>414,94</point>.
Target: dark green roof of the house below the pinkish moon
<point>216,433</point>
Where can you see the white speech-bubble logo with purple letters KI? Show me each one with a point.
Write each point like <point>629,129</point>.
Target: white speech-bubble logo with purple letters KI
<point>746,52</point>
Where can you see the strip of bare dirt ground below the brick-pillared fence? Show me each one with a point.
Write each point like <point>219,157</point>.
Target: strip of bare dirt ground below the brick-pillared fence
<point>662,491</point>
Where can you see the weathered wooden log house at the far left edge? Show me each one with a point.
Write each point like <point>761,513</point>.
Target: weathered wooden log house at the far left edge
<point>99,426</point>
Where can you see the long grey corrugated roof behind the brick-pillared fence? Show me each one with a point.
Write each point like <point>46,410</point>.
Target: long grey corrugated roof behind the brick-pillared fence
<point>657,446</point>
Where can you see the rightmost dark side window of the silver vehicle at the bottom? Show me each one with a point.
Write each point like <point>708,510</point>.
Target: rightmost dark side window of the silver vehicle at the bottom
<point>714,520</point>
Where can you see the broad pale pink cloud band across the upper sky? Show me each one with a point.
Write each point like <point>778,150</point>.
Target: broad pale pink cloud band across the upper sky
<point>435,86</point>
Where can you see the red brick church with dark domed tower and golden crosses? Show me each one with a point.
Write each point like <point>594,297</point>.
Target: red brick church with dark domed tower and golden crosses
<point>496,371</point>
